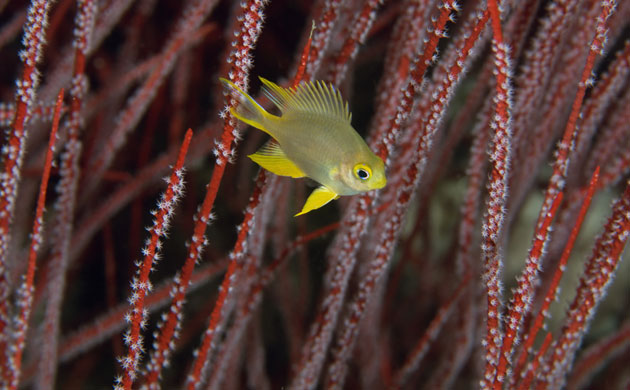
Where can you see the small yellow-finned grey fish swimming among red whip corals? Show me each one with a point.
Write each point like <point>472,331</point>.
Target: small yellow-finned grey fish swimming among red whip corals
<point>312,137</point>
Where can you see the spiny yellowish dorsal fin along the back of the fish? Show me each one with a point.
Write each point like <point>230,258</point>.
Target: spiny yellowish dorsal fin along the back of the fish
<point>314,97</point>
